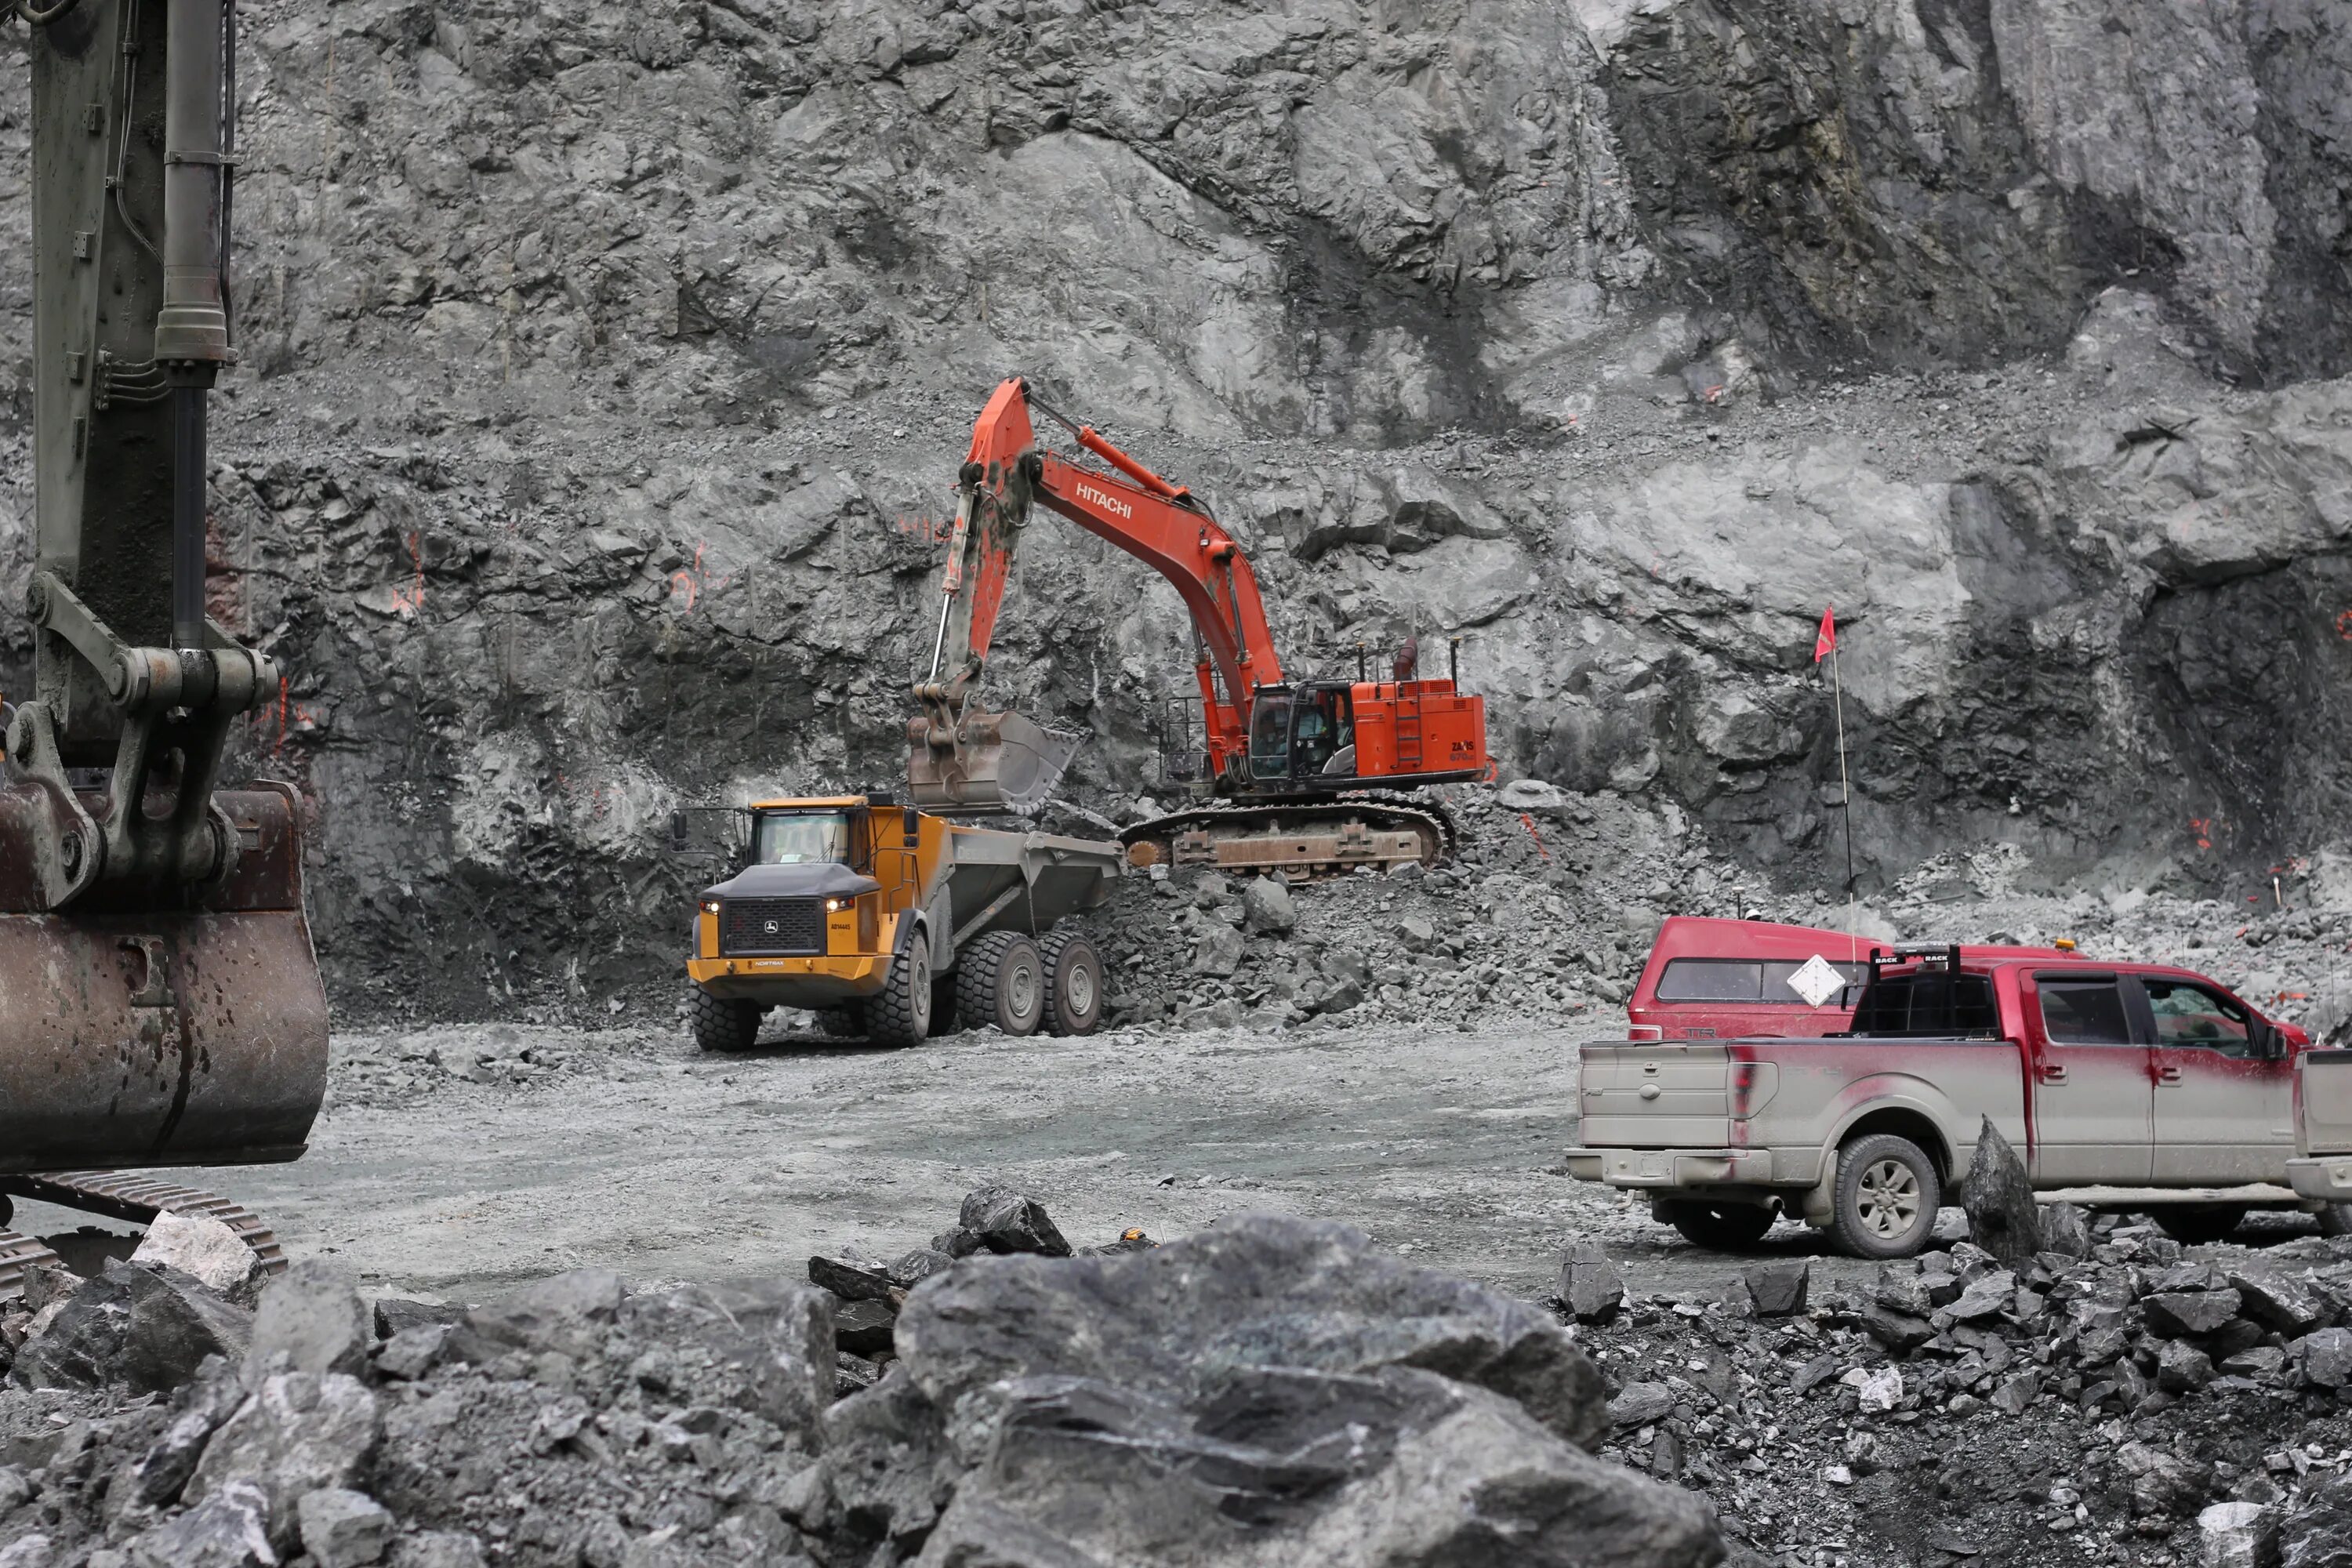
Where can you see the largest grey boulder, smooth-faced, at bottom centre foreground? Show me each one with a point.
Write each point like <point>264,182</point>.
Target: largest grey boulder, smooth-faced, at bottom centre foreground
<point>1267,1393</point>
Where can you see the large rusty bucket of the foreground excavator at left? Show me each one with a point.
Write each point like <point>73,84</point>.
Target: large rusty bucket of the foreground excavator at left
<point>189,1031</point>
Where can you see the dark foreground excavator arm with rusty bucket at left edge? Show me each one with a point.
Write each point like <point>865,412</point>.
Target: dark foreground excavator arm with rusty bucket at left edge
<point>159,996</point>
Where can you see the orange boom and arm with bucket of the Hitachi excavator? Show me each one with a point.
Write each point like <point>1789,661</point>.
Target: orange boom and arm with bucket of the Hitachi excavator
<point>1137,511</point>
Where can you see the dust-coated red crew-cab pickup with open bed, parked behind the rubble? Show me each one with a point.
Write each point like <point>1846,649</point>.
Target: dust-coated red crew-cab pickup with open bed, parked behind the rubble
<point>2102,1076</point>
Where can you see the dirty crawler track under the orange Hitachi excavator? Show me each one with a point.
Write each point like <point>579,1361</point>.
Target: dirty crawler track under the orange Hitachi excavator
<point>1302,838</point>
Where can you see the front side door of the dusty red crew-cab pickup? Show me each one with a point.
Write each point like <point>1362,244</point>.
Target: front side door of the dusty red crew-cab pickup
<point>2224,1111</point>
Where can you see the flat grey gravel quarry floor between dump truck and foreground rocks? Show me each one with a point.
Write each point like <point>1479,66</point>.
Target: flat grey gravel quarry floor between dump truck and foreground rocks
<point>634,1151</point>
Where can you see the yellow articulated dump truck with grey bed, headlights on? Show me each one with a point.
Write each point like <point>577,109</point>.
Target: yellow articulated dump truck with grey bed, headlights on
<point>895,925</point>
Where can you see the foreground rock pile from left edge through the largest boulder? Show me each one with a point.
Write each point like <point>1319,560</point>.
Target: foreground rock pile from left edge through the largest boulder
<point>1267,1393</point>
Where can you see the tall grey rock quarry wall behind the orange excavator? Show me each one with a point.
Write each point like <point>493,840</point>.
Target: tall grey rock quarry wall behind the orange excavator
<point>608,368</point>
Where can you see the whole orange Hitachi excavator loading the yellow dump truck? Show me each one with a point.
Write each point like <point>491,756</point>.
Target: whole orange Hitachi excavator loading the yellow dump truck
<point>1302,770</point>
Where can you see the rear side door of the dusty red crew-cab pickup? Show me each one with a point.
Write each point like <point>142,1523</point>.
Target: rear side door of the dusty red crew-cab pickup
<point>2094,1104</point>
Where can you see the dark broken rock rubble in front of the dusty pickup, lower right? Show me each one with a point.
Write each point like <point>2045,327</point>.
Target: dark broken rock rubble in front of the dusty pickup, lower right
<point>2146,1400</point>
